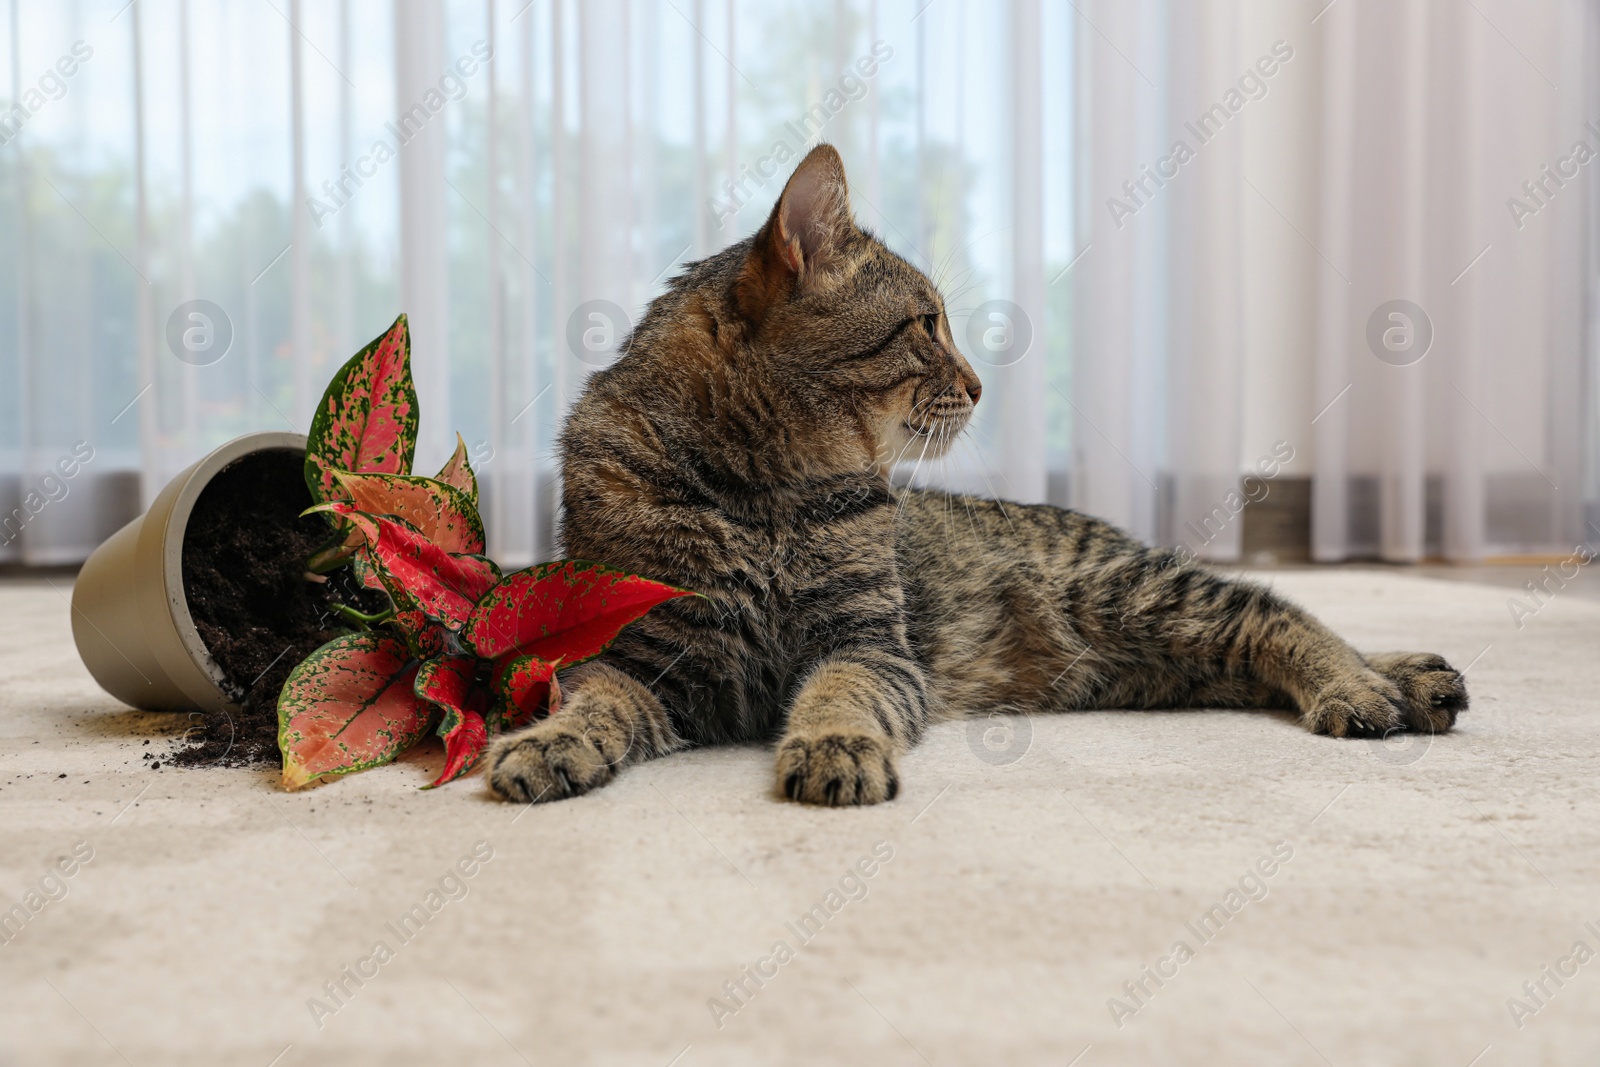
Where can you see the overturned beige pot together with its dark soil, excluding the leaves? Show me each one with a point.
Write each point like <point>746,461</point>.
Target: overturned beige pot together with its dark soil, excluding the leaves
<point>204,604</point>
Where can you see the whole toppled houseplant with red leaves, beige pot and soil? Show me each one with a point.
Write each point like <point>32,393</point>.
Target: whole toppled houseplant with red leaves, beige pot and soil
<point>286,557</point>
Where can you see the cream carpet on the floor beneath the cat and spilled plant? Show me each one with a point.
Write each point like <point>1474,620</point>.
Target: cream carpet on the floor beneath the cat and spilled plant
<point>1338,903</point>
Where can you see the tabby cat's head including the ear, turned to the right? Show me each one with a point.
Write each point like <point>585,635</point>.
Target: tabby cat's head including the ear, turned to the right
<point>862,332</point>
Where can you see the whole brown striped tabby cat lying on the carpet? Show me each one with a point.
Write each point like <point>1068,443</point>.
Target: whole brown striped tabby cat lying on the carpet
<point>742,449</point>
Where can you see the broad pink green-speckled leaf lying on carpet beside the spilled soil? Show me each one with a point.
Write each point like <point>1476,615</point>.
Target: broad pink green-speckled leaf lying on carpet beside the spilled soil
<point>350,706</point>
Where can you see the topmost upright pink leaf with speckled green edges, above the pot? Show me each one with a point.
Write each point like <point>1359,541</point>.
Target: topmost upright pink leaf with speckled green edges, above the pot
<point>367,418</point>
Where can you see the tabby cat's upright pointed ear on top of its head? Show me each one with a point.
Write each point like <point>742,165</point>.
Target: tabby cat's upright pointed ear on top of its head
<point>802,238</point>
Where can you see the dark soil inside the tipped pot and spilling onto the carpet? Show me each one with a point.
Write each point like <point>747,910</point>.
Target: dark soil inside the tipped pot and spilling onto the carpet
<point>246,554</point>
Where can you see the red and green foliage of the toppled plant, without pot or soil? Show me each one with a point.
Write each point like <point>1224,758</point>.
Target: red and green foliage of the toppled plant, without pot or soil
<point>460,649</point>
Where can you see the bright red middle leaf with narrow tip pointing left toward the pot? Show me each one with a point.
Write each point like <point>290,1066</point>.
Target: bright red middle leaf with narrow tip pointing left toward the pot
<point>417,572</point>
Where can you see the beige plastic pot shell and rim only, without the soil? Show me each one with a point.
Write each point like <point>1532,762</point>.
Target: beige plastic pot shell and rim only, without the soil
<point>130,617</point>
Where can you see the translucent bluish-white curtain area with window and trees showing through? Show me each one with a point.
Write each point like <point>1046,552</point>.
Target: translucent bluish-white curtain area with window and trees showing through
<point>521,178</point>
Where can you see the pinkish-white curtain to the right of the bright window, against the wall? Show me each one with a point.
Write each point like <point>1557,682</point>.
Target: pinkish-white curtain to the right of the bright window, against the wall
<point>1338,158</point>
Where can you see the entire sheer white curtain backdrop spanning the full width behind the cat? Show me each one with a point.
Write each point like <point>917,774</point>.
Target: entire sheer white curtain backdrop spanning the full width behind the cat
<point>1162,230</point>
